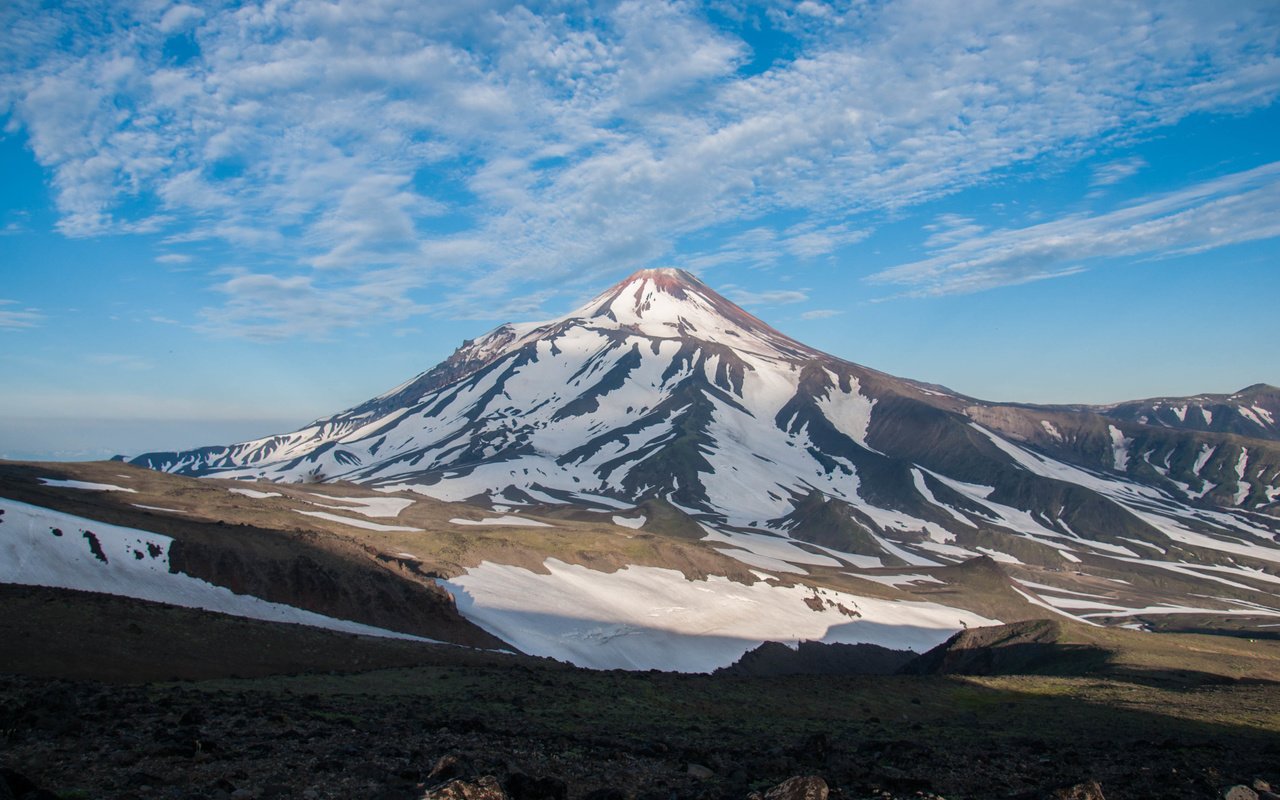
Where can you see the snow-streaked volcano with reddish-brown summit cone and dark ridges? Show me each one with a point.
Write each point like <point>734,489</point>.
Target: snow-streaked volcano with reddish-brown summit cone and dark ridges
<point>661,391</point>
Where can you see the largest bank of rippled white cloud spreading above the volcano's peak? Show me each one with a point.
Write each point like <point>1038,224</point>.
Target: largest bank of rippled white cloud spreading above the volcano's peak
<point>383,150</point>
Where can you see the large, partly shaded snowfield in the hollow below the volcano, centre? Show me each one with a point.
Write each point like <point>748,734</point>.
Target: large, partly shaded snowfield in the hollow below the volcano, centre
<point>647,618</point>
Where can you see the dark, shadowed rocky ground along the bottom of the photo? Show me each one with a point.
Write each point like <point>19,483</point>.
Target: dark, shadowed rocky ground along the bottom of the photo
<point>463,728</point>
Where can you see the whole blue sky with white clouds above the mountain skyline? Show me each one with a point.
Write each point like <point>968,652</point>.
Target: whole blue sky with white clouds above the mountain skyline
<point>223,221</point>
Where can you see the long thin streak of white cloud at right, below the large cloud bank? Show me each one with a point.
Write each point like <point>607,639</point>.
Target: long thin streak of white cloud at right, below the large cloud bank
<point>1238,208</point>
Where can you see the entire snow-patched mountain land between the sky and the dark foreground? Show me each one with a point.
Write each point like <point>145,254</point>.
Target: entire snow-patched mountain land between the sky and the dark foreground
<point>662,481</point>
